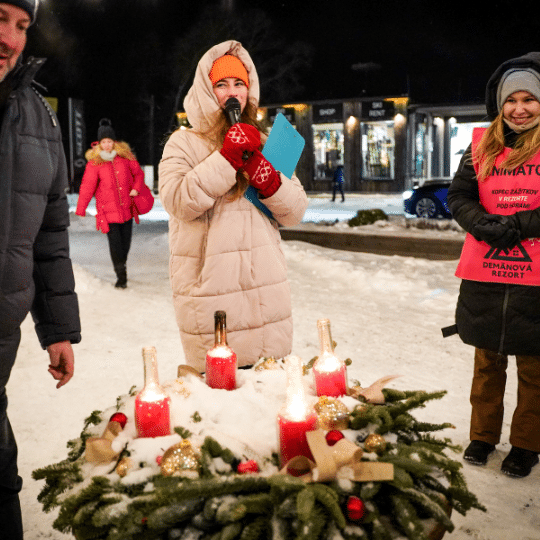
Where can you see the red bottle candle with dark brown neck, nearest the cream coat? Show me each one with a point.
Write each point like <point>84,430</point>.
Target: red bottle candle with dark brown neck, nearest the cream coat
<point>221,362</point>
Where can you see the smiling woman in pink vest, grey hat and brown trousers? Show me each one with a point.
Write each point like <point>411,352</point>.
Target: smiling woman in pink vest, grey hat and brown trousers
<point>495,197</point>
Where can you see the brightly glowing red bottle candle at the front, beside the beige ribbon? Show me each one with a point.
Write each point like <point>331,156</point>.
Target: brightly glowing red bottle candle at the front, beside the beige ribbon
<point>296,417</point>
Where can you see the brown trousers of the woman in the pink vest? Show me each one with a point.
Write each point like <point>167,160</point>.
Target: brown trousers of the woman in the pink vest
<point>487,400</point>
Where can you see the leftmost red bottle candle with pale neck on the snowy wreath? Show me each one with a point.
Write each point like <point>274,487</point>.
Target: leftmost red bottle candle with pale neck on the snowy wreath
<point>152,405</point>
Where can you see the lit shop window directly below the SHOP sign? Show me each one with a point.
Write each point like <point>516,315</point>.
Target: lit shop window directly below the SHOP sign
<point>328,149</point>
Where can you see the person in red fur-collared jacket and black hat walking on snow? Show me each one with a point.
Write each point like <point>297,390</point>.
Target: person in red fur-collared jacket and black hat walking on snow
<point>115,177</point>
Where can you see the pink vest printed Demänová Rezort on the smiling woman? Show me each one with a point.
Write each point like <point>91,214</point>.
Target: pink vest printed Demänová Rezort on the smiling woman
<point>505,193</point>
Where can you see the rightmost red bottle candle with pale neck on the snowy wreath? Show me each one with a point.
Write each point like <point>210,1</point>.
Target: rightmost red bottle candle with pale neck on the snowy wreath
<point>329,371</point>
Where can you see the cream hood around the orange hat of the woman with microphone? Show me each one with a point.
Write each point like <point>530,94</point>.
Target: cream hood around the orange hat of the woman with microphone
<point>200,103</point>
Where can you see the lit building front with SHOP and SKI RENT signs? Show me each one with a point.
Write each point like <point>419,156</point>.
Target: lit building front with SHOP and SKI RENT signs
<point>386,144</point>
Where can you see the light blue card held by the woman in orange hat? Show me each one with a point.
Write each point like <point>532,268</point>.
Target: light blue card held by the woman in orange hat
<point>284,146</point>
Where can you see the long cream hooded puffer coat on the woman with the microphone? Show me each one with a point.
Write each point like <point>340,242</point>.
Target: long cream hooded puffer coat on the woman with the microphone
<point>225,253</point>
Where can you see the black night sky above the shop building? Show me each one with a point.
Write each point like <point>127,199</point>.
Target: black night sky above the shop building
<point>436,52</point>
